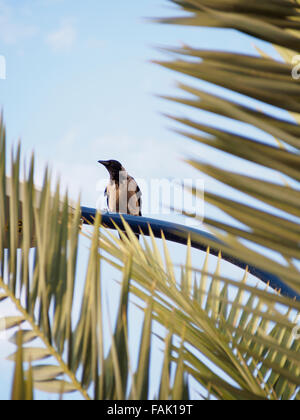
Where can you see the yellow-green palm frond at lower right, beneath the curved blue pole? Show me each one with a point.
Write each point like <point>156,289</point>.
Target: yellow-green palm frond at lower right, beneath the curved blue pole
<point>242,331</point>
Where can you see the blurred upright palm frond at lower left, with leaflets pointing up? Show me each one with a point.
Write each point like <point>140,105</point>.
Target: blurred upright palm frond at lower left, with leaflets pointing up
<point>67,353</point>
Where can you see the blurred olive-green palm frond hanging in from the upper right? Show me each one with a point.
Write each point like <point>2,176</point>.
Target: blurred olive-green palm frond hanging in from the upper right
<point>270,82</point>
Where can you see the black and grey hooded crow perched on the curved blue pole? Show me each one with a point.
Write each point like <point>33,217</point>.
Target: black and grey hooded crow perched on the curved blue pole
<point>123,193</point>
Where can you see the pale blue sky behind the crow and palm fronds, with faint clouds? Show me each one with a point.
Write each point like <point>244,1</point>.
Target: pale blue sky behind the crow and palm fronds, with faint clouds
<point>80,87</point>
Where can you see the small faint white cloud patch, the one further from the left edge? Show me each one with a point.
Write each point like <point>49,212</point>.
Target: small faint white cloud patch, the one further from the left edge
<point>64,37</point>
